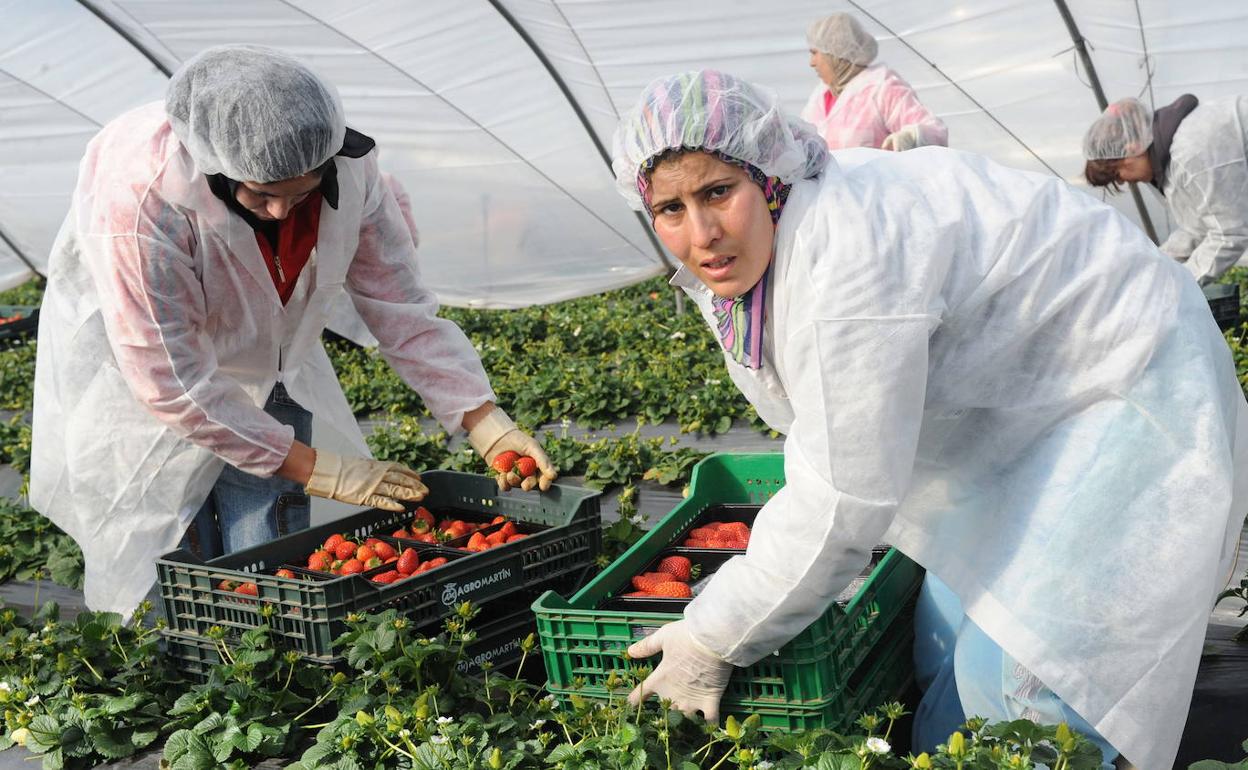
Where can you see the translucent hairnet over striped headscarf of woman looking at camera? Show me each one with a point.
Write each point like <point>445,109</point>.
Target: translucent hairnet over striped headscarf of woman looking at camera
<point>711,110</point>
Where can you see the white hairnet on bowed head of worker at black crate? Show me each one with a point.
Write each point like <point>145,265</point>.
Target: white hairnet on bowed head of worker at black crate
<point>254,114</point>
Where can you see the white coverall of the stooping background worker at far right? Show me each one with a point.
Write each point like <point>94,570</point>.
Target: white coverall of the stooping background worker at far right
<point>1207,189</point>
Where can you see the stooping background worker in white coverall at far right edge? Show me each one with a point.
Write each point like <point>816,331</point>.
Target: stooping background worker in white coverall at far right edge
<point>1196,155</point>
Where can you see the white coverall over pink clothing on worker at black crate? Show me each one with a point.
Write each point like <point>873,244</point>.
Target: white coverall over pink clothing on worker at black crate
<point>162,336</point>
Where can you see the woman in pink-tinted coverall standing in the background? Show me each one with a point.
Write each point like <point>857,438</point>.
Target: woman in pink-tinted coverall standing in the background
<point>859,104</point>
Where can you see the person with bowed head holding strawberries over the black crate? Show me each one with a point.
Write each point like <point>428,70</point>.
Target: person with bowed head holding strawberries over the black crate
<point>180,358</point>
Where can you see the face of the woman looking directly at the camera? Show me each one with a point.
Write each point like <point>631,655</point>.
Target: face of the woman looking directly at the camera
<point>714,219</point>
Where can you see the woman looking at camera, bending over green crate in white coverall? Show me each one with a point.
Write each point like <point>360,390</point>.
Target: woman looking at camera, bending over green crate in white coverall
<point>957,354</point>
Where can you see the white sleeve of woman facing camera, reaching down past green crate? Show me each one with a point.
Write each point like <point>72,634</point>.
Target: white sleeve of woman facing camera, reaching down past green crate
<point>848,464</point>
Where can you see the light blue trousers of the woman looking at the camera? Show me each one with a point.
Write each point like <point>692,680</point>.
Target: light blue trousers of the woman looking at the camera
<point>959,667</point>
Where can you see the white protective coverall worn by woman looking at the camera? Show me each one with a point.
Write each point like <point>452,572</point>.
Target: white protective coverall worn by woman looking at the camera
<point>1010,384</point>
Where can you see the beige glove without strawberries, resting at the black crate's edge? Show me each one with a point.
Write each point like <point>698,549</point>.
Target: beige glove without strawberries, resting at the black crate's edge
<point>365,482</point>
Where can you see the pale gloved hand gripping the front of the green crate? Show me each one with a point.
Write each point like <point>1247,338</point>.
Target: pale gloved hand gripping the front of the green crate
<point>692,677</point>
